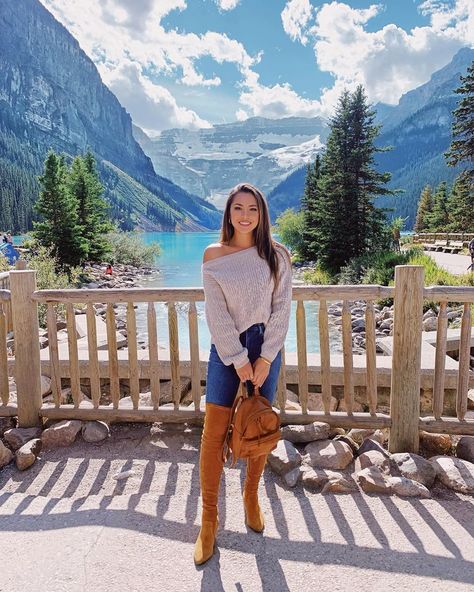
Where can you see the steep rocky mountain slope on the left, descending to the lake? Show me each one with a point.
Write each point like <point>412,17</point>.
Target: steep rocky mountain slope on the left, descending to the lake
<point>52,96</point>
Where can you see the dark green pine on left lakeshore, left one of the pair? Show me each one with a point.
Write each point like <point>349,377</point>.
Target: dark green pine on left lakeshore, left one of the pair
<point>58,228</point>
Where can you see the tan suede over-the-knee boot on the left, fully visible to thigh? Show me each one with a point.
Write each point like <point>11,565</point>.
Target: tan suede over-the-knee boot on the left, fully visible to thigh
<point>210,469</point>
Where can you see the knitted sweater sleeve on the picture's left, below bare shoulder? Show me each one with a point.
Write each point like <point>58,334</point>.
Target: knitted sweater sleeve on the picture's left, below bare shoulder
<point>221,325</point>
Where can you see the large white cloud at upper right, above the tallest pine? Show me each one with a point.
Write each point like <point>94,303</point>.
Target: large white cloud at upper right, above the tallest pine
<point>390,61</point>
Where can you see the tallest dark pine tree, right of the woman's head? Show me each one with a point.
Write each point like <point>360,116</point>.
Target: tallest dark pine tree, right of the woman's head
<point>350,224</point>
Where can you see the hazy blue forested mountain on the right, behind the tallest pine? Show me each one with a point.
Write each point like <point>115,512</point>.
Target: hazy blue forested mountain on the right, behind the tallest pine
<point>418,129</point>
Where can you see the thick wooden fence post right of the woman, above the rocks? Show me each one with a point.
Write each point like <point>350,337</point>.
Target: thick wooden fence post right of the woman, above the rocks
<point>406,360</point>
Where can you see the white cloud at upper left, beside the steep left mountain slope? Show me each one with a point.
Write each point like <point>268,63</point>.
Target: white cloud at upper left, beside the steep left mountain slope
<point>119,33</point>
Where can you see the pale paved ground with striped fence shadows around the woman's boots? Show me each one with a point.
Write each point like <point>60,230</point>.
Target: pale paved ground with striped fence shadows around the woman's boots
<point>67,525</point>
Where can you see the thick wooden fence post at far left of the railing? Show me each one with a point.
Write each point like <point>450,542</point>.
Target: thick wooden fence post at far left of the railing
<point>27,350</point>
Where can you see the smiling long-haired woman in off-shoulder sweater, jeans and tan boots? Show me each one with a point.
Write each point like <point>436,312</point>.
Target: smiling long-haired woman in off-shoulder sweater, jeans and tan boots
<point>247,288</point>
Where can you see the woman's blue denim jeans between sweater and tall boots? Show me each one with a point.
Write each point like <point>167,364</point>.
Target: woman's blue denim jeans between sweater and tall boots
<point>222,382</point>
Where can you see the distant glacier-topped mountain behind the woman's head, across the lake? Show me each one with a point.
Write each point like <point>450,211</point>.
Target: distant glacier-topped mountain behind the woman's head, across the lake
<point>209,162</point>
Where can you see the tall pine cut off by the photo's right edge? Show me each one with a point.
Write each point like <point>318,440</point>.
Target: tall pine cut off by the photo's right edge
<point>462,146</point>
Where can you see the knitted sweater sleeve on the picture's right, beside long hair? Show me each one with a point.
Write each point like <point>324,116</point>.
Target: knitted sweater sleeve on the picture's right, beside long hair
<point>277,325</point>
